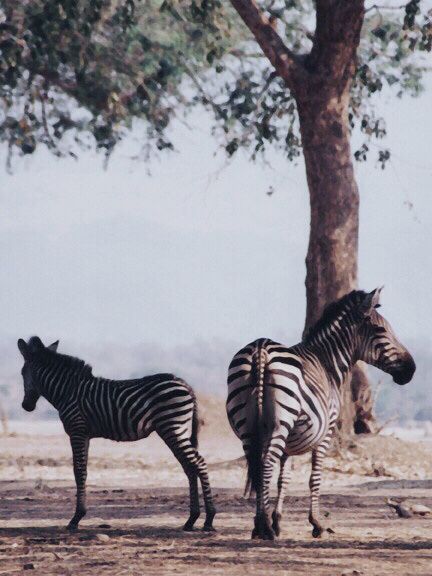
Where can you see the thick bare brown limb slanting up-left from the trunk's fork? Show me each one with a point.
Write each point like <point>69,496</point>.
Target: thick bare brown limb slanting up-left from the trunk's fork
<point>283,60</point>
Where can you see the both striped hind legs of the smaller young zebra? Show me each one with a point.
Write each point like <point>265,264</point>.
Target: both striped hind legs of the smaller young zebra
<point>194,467</point>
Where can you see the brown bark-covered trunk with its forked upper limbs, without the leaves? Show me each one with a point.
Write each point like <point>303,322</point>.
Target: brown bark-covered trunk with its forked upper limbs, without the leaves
<point>320,83</point>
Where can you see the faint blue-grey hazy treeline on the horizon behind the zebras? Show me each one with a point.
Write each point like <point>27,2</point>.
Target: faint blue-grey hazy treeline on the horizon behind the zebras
<point>203,364</point>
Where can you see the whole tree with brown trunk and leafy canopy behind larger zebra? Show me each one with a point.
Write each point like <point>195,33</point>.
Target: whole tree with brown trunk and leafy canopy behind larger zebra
<point>90,69</point>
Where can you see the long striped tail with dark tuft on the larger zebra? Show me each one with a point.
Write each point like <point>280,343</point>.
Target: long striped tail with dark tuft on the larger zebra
<point>254,479</point>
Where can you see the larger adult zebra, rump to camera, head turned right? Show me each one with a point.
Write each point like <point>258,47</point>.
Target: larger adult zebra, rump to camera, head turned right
<point>286,401</point>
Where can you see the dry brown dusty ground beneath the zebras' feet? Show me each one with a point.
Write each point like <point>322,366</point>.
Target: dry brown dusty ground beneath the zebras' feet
<point>138,500</point>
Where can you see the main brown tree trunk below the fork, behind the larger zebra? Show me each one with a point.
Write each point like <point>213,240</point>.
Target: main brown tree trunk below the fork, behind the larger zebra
<point>331,263</point>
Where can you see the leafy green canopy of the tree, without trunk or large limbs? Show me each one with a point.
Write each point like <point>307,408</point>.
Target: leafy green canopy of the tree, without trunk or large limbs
<point>77,74</point>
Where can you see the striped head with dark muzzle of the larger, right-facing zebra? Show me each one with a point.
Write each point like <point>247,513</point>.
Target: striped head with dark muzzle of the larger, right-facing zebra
<point>378,343</point>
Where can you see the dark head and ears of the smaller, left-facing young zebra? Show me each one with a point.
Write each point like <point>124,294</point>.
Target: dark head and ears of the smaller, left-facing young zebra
<point>30,351</point>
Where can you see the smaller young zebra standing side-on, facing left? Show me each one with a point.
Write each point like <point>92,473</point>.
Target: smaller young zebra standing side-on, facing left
<point>123,410</point>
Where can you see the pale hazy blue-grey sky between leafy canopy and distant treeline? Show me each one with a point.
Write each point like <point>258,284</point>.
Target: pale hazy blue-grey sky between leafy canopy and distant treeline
<point>198,250</point>
